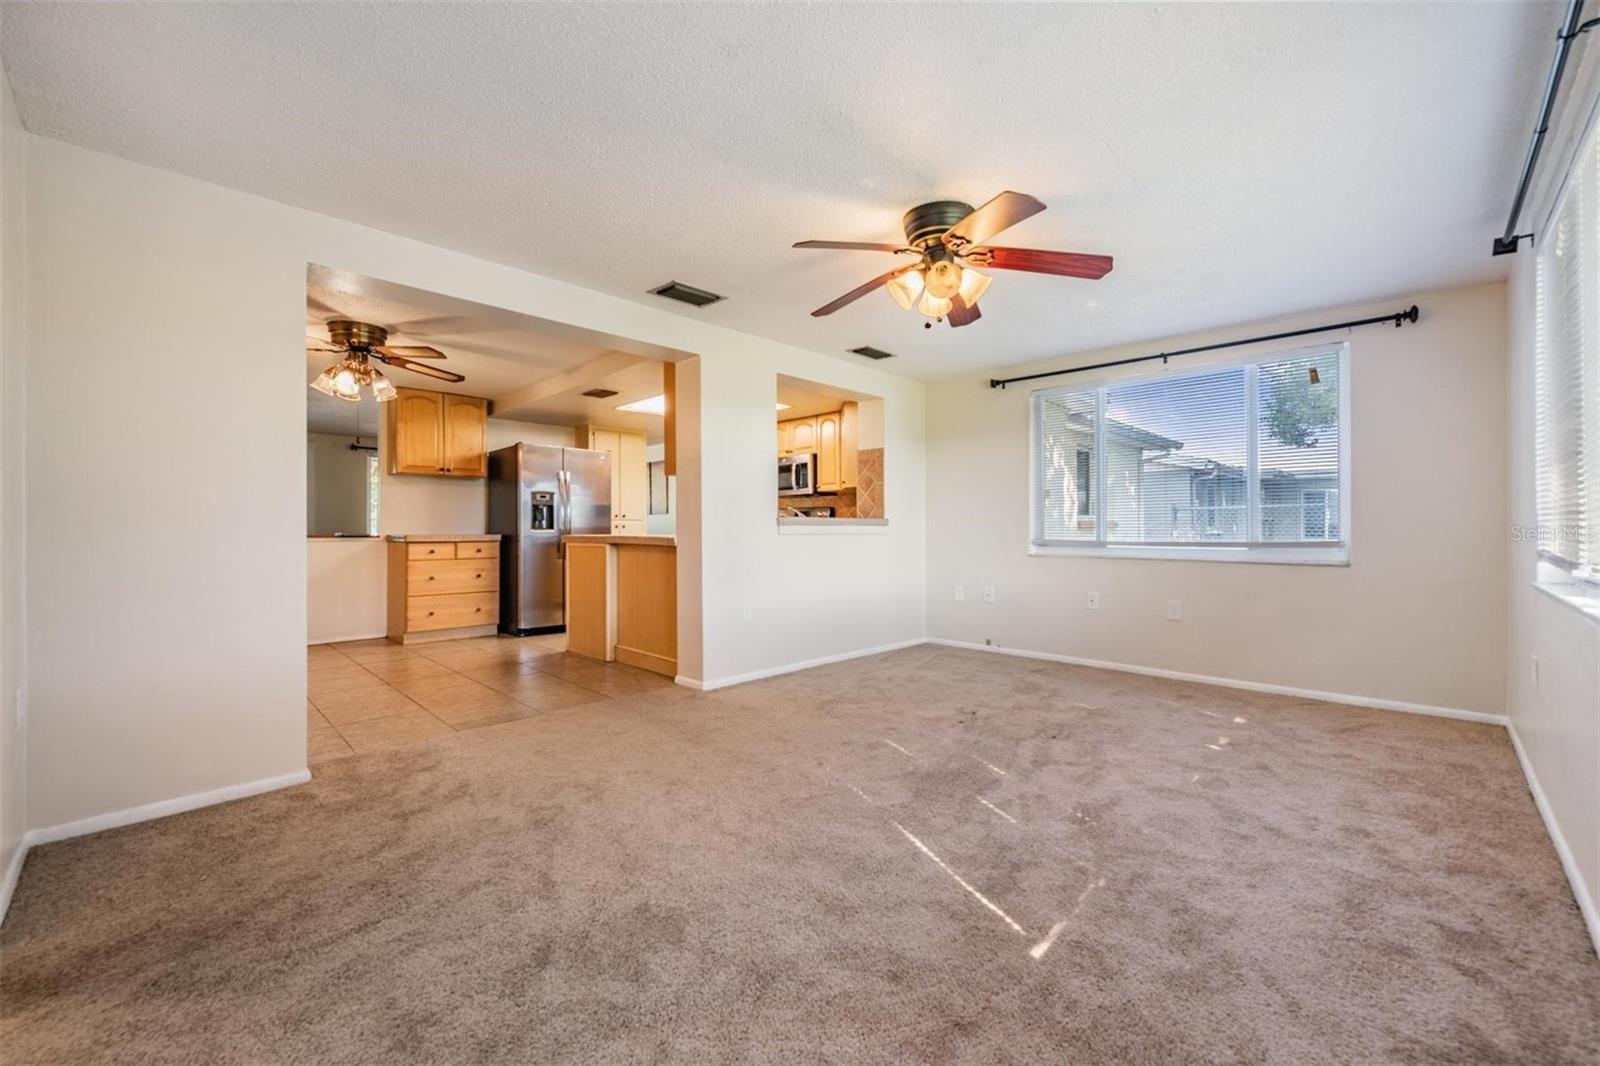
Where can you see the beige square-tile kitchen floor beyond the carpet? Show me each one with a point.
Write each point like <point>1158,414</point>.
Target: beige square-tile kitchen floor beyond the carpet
<point>372,694</point>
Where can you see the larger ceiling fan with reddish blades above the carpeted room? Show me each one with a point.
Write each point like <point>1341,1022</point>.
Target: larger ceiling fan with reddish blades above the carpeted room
<point>950,239</point>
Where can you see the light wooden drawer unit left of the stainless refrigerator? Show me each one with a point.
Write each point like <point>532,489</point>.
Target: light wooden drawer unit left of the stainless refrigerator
<point>442,590</point>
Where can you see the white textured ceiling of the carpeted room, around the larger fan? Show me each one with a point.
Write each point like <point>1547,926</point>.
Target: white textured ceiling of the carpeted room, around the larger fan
<point>1239,161</point>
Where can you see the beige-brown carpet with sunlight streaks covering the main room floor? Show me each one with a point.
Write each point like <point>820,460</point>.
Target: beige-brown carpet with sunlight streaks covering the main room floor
<point>930,856</point>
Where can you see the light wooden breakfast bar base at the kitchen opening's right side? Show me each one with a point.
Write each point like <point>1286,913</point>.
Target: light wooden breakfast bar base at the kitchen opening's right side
<point>623,599</point>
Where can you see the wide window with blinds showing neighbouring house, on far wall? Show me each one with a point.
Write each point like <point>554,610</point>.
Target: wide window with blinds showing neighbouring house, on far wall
<point>1244,462</point>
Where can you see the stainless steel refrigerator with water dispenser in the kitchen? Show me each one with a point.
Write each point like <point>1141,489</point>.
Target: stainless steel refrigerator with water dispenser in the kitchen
<point>538,494</point>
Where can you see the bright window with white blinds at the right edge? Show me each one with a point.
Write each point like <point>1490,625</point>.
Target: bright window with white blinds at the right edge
<point>1567,366</point>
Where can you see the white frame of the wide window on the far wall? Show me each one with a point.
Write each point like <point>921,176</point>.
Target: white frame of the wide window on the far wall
<point>1332,555</point>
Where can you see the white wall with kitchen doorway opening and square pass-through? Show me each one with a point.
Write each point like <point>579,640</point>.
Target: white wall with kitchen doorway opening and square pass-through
<point>167,614</point>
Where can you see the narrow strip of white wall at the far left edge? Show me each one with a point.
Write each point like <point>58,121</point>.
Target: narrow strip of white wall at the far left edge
<point>14,329</point>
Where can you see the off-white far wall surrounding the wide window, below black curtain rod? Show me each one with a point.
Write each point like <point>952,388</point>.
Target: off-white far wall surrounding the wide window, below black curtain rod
<point>1418,615</point>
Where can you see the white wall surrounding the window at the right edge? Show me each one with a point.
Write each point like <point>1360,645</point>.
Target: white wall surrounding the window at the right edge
<point>1558,723</point>
